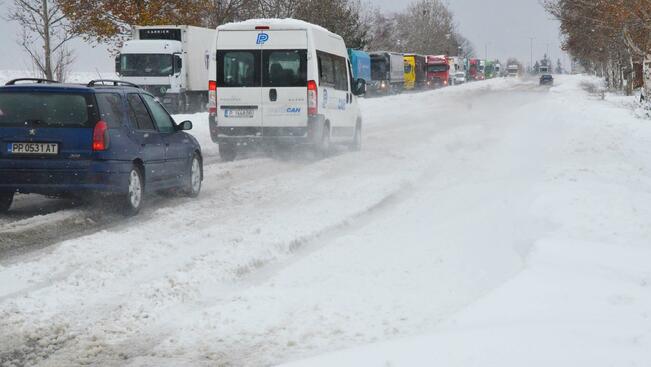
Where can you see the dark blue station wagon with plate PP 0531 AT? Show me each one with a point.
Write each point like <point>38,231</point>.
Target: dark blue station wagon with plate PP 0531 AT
<point>108,137</point>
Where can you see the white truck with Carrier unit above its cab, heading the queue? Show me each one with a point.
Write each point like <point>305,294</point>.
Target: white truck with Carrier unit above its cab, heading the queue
<point>170,62</point>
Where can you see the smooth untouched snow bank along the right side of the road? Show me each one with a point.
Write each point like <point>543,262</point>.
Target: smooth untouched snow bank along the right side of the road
<point>582,299</point>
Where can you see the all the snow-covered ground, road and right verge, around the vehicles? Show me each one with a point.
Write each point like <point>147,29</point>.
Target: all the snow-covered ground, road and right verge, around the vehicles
<point>493,224</point>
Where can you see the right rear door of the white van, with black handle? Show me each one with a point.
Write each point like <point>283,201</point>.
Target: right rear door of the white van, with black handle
<point>284,82</point>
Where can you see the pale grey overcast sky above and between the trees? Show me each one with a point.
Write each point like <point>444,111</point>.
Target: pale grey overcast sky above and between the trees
<point>501,26</point>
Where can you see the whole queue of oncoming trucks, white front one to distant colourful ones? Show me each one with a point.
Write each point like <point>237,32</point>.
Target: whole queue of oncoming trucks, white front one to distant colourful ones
<point>171,62</point>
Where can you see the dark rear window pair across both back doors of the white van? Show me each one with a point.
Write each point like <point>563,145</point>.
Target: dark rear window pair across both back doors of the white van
<point>255,68</point>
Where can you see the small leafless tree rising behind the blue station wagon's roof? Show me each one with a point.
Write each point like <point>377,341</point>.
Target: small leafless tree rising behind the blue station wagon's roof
<point>44,35</point>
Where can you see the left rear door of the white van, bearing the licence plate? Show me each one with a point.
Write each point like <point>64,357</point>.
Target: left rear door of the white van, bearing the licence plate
<point>239,81</point>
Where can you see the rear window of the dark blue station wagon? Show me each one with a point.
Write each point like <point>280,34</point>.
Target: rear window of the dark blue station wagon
<point>48,109</point>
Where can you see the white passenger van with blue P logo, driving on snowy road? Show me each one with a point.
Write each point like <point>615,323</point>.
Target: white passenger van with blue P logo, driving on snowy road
<point>282,81</point>
